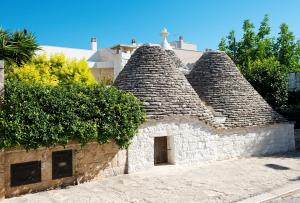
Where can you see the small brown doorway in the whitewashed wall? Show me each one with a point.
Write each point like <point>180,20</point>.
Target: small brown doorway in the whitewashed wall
<point>160,150</point>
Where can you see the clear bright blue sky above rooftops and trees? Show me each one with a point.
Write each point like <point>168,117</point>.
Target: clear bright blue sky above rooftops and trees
<point>71,23</point>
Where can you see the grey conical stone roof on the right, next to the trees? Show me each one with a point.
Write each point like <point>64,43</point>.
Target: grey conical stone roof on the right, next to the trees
<point>219,83</point>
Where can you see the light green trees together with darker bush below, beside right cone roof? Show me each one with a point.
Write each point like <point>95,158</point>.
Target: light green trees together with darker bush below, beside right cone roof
<point>263,60</point>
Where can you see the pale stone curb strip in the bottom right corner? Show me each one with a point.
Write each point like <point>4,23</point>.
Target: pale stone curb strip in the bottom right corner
<point>267,197</point>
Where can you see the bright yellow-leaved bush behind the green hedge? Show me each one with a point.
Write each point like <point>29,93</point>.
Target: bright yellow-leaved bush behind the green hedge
<point>55,70</point>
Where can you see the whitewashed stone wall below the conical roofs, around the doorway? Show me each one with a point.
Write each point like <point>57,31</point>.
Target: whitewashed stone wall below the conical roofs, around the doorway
<point>191,141</point>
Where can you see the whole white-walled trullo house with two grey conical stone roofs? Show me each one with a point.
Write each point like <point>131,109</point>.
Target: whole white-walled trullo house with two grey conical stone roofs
<point>181,128</point>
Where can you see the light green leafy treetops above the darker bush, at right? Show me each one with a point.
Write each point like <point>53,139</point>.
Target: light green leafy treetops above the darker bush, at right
<point>257,46</point>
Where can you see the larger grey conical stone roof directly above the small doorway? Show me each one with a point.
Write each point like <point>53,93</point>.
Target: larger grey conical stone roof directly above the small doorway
<point>151,75</point>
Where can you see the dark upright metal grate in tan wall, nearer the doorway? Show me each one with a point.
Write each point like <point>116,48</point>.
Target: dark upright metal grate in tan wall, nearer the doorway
<point>62,164</point>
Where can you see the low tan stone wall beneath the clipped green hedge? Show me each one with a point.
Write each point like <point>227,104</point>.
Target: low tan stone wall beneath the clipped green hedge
<point>89,162</point>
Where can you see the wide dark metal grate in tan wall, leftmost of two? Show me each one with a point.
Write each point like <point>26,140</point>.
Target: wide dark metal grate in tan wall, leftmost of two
<point>25,173</point>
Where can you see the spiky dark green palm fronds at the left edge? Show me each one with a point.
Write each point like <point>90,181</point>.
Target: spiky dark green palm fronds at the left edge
<point>17,47</point>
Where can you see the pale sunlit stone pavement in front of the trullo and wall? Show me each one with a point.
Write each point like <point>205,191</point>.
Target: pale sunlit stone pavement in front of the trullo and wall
<point>224,181</point>
